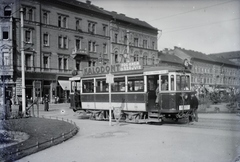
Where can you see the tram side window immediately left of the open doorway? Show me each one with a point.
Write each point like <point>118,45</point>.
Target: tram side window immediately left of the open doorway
<point>135,84</point>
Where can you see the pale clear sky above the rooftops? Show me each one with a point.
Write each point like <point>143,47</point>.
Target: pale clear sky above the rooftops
<point>207,26</point>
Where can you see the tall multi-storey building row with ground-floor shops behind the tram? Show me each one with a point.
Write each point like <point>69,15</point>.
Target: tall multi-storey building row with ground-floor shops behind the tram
<point>61,38</point>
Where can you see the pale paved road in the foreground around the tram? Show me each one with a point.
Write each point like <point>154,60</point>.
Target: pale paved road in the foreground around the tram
<point>215,138</point>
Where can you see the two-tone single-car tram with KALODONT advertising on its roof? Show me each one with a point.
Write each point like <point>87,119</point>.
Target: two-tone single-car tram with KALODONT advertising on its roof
<point>142,93</point>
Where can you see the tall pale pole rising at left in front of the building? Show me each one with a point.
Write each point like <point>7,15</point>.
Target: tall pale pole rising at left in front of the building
<point>23,65</point>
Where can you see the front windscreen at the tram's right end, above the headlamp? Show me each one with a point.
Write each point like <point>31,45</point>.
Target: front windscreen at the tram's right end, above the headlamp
<point>183,82</point>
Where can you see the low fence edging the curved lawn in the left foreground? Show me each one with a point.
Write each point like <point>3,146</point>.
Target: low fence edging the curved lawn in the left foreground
<point>20,153</point>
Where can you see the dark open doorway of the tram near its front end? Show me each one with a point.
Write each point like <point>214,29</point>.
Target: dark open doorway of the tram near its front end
<point>152,84</point>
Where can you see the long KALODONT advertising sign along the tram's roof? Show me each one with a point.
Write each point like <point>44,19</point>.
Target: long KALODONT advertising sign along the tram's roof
<point>105,69</point>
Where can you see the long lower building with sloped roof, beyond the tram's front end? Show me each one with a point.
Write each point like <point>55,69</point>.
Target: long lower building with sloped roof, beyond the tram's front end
<point>209,71</point>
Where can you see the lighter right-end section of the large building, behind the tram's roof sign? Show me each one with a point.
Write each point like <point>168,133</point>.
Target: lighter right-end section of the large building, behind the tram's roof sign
<point>132,40</point>
